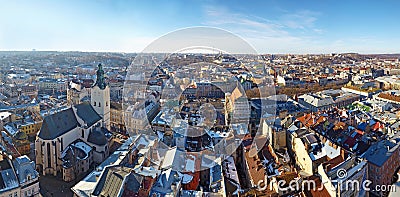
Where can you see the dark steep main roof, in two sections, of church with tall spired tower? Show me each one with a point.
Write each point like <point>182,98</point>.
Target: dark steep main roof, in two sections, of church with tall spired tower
<point>62,122</point>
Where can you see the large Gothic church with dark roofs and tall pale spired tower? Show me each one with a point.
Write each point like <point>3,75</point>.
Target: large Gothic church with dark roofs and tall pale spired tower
<point>70,141</point>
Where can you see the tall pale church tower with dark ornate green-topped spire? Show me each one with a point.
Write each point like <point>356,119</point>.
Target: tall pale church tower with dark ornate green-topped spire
<point>100,97</point>
